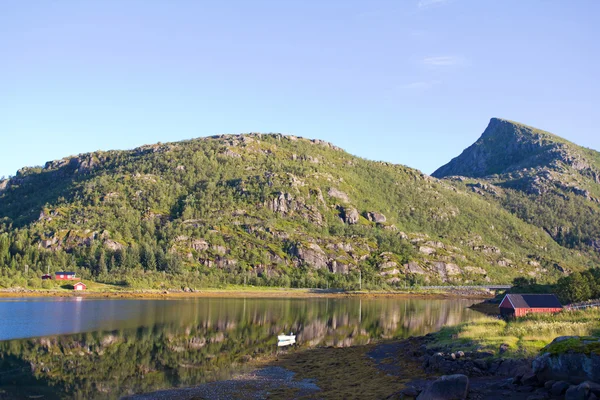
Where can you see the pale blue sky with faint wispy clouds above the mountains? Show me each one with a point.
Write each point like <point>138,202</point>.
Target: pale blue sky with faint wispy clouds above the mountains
<point>411,82</point>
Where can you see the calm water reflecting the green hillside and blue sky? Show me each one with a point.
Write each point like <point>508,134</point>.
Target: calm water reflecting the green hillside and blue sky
<point>88,348</point>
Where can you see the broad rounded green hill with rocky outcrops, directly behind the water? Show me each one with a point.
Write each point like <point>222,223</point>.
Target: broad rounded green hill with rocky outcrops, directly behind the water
<point>267,209</point>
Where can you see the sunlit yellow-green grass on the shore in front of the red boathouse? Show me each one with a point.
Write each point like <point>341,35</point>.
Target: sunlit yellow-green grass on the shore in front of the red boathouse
<point>525,336</point>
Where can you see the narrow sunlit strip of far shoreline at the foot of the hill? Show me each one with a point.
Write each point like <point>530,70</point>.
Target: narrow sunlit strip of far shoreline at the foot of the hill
<point>258,292</point>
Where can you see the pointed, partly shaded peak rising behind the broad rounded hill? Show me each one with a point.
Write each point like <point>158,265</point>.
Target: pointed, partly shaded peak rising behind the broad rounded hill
<point>539,177</point>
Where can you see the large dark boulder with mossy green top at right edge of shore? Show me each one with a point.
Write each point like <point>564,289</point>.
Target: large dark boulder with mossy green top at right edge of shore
<point>572,365</point>
